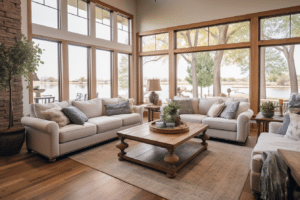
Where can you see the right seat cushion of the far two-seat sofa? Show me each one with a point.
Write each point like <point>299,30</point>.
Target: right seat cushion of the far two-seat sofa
<point>221,123</point>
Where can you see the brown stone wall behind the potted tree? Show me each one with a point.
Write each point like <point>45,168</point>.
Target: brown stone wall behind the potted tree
<point>10,27</point>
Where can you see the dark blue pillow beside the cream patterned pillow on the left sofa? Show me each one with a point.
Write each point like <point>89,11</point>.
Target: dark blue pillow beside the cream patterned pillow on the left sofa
<point>75,115</point>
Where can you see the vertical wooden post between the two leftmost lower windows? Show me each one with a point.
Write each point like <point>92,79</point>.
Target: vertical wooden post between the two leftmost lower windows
<point>65,71</point>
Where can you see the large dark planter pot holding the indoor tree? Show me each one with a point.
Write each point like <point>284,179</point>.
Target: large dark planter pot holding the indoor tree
<point>11,141</point>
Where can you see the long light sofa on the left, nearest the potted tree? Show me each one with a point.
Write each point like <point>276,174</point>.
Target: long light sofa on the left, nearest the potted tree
<point>46,138</point>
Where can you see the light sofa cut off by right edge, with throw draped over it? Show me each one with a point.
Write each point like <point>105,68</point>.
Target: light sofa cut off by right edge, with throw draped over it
<point>268,142</point>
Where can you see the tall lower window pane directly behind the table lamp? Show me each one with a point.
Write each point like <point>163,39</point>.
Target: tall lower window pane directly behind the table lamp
<point>156,67</point>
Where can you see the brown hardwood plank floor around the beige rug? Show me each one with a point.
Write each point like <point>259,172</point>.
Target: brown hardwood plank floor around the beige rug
<point>30,176</point>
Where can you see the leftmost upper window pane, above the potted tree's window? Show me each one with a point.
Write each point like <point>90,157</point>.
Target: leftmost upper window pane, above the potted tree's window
<point>46,13</point>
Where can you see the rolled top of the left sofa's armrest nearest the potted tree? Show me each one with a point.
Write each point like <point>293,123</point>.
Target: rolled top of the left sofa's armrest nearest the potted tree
<point>40,124</point>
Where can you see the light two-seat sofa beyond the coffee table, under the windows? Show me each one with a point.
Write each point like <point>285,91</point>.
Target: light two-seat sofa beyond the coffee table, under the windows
<point>236,129</point>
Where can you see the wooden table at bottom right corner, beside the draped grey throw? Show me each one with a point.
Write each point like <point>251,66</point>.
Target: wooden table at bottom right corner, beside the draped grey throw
<point>292,160</point>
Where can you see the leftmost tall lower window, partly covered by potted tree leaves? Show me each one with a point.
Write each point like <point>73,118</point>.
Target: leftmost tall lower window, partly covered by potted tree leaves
<point>46,78</point>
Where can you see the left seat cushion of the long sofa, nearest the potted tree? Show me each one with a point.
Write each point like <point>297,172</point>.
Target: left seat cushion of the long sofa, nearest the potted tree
<point>74,131</point>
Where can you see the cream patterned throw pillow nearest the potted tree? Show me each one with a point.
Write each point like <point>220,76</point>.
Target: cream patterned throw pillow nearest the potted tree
<point>56,115</point>
